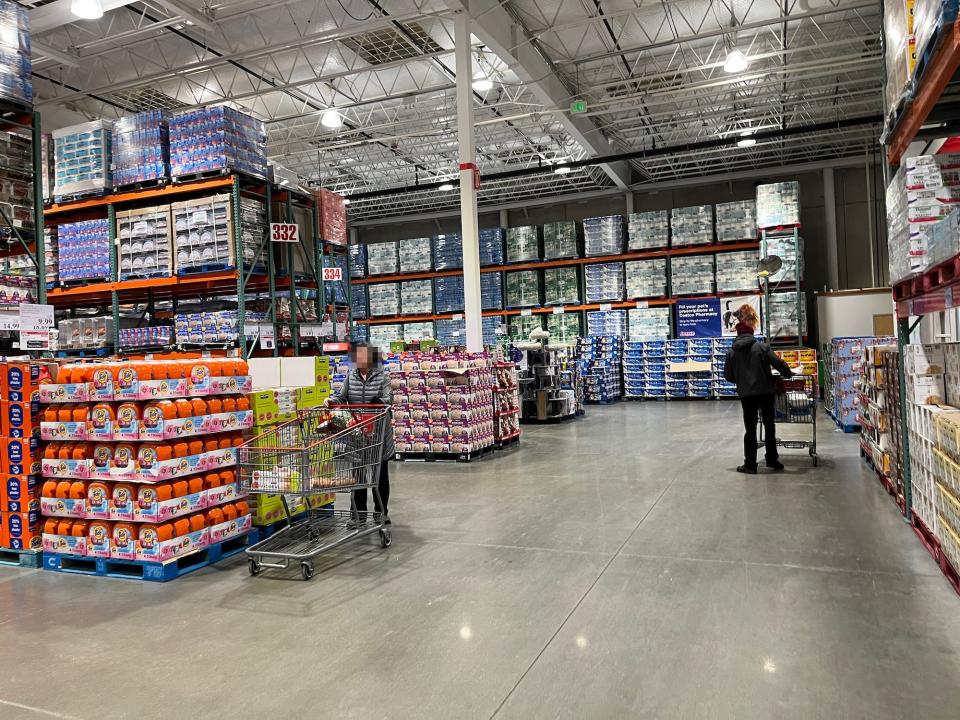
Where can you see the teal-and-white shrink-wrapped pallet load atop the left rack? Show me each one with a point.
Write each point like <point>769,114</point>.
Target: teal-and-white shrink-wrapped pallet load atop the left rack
<point>82,159</point>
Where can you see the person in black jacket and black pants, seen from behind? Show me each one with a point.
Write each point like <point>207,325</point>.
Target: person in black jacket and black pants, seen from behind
<point>748,365</point>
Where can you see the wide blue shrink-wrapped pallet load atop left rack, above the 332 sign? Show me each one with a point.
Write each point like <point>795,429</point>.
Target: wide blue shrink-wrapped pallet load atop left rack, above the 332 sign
<point>214,139</point>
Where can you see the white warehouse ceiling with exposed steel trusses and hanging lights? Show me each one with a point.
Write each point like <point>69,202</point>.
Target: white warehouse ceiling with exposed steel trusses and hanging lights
<point>652,75</point>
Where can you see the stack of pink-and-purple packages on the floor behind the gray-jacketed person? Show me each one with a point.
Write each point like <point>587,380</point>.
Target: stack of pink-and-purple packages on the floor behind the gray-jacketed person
<point>442,402</point>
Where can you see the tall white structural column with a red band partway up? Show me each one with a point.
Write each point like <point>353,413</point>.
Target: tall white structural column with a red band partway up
<point>469,175</point>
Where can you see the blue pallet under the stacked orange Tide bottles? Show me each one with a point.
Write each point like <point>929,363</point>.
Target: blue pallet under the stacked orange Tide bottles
<point>140,570</point>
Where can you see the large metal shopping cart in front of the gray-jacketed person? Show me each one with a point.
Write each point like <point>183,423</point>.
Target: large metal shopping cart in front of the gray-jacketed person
<point>336,449</point>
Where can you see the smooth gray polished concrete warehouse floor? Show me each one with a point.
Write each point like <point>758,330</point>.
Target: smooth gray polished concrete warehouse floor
<point>615,567</point>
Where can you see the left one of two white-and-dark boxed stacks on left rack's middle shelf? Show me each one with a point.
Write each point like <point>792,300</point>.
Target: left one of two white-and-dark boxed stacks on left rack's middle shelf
<point>144,238</point>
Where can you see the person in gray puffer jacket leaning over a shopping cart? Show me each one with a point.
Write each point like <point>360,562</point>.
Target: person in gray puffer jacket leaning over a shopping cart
<point>368,384</point>
